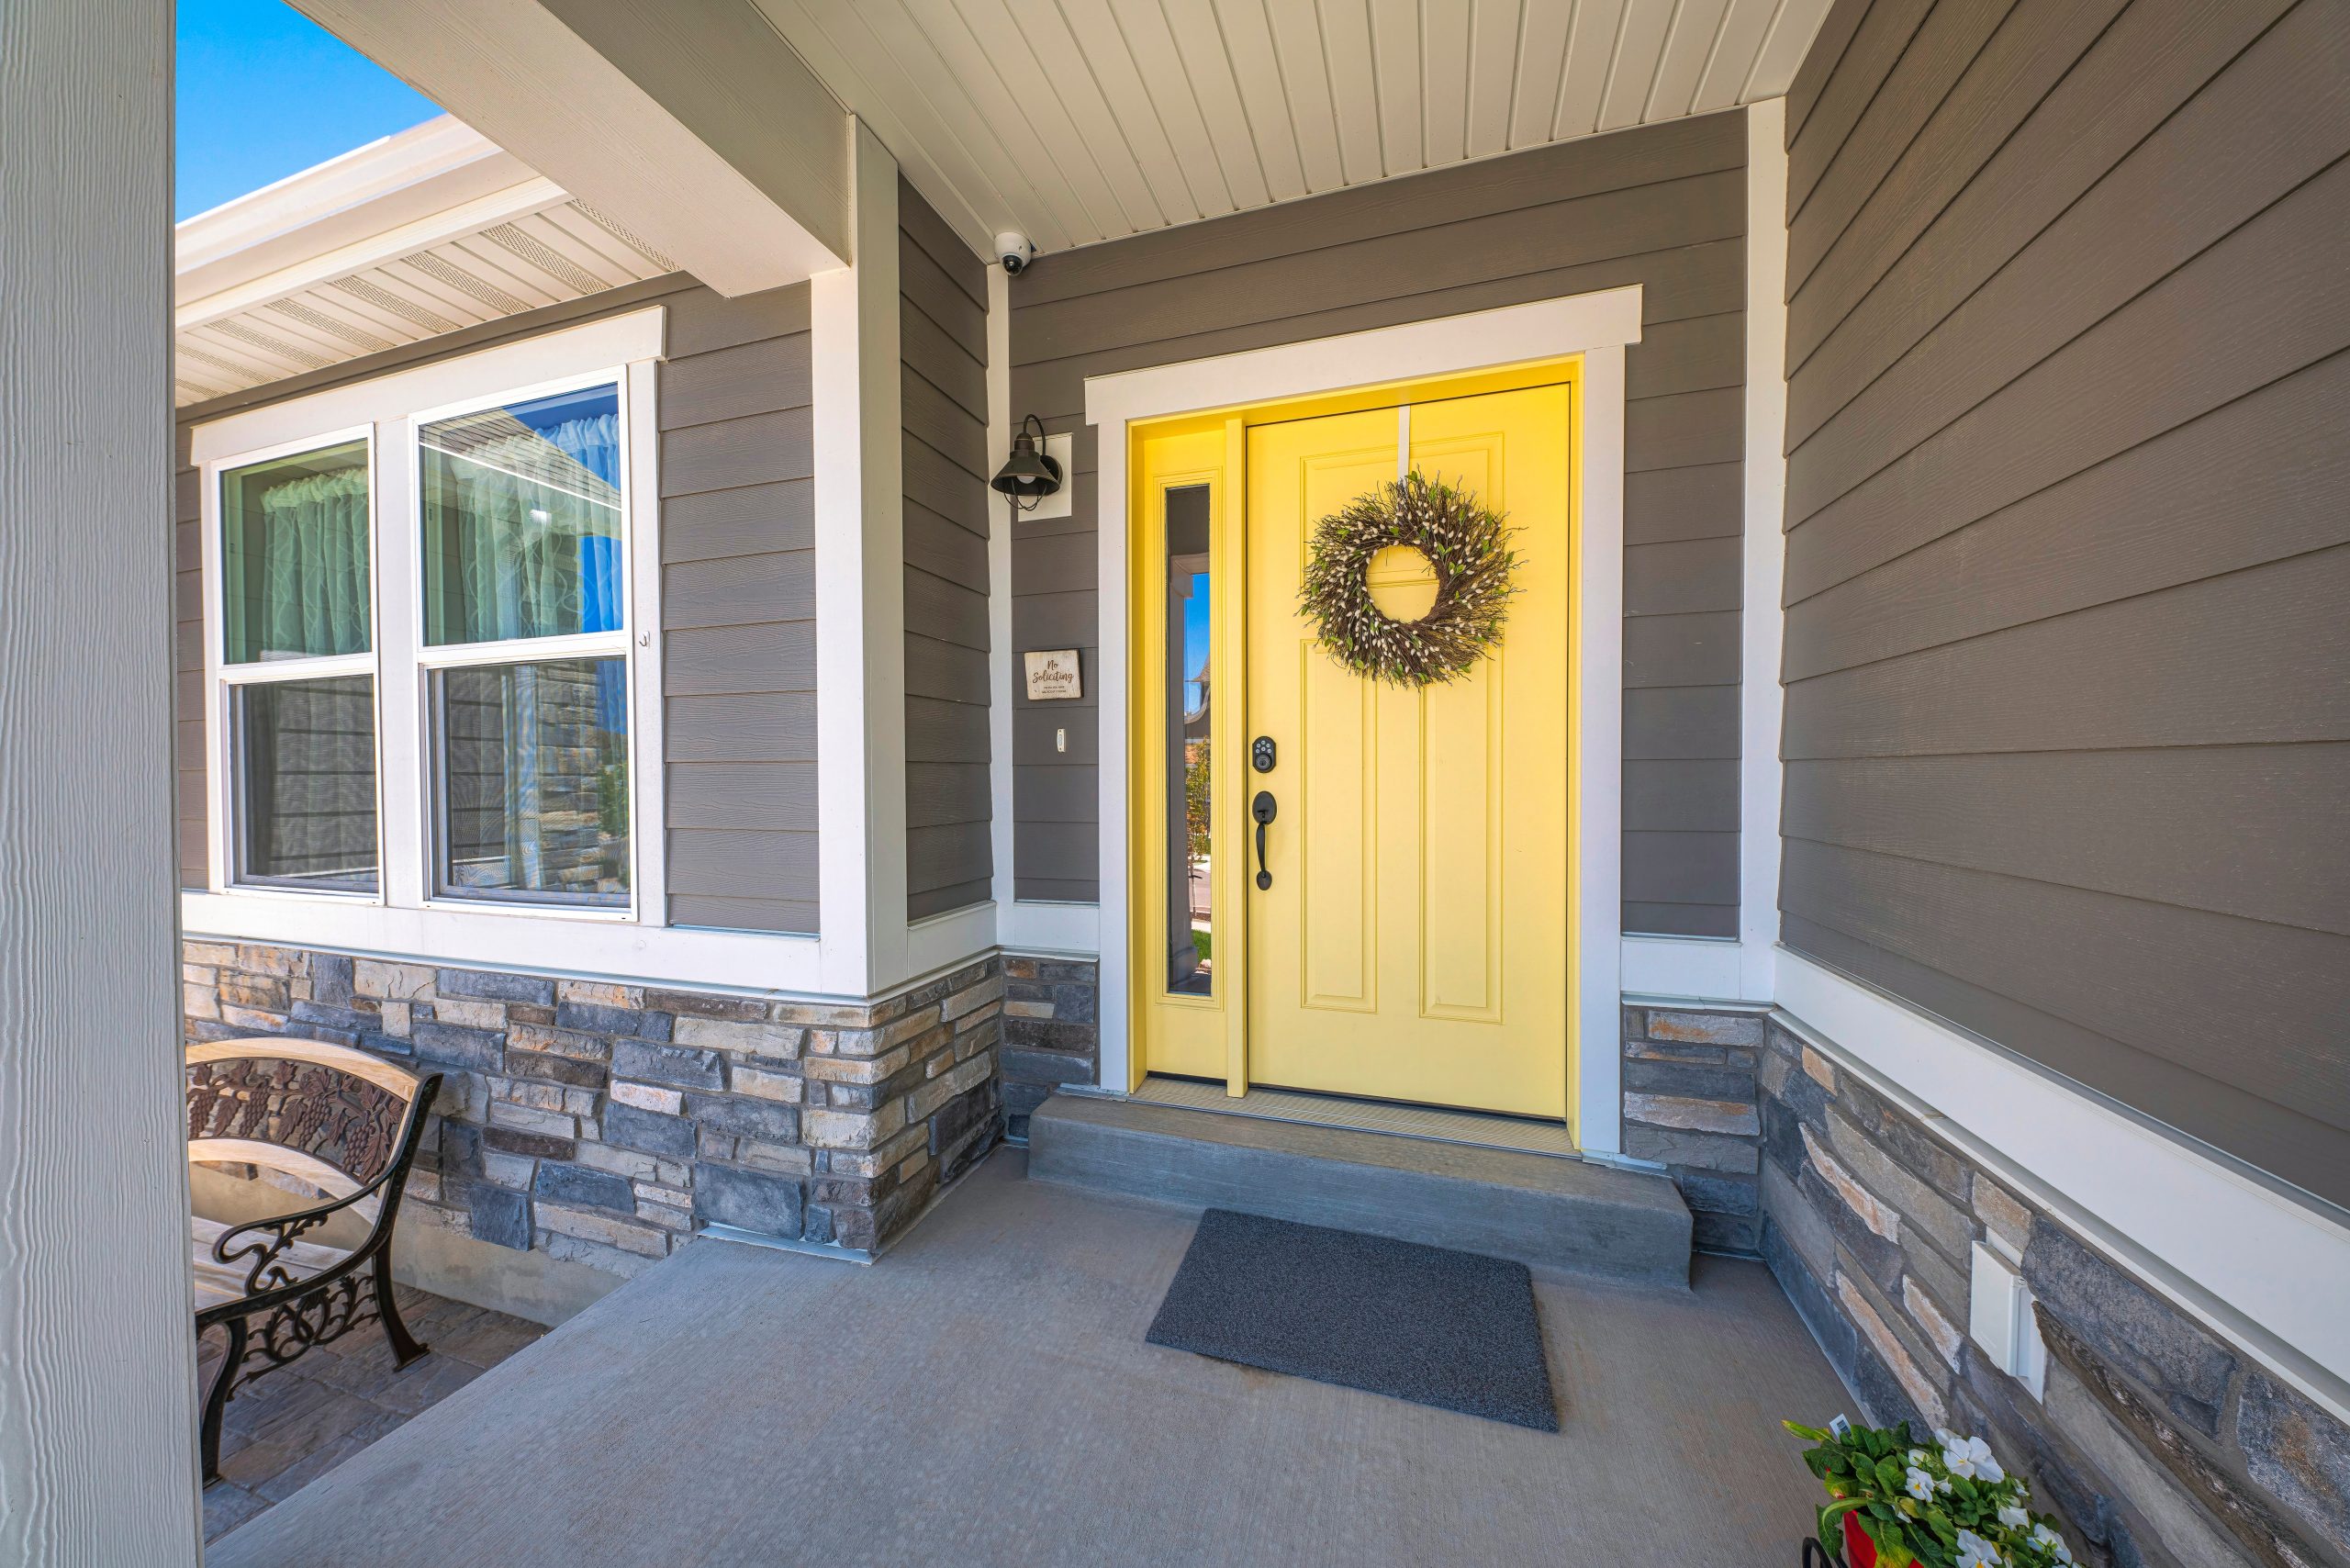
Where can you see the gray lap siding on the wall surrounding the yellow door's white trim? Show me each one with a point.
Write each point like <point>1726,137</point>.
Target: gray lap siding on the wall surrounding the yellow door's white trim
<point>1660,208</point>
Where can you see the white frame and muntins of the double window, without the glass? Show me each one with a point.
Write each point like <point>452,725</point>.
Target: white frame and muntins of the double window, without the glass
<point>391,415</point>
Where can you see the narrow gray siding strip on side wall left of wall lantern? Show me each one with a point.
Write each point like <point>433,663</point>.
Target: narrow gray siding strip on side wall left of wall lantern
<point>944,394</point>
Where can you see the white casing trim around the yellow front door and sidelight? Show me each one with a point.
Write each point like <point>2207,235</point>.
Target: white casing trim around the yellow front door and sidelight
<point>1592,326</point>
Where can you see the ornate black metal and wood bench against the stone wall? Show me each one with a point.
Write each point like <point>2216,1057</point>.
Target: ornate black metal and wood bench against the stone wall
<point>340,1123</point>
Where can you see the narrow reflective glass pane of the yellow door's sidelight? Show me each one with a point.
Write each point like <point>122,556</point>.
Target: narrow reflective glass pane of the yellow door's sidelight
<point>1190,840</point>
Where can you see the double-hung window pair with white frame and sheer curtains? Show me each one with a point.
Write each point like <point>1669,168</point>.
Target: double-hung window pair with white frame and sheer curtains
<point>427,676</point>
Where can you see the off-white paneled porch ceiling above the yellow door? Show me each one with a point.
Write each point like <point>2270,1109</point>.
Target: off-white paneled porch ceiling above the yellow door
<point>1080,121</point>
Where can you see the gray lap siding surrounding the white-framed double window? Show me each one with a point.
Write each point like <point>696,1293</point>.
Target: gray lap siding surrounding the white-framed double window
<point>739,608</point>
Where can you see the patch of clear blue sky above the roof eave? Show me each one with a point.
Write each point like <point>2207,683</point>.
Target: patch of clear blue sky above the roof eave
<point>267,93</point>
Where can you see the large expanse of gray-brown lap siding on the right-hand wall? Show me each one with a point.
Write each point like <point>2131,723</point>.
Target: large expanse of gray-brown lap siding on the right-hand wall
<point>2069,540</point>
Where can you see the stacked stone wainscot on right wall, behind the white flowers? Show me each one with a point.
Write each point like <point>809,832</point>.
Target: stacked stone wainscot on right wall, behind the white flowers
<point>2161,1442</point>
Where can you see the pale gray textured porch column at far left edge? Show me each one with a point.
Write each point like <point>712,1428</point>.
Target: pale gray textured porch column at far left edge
<point>98,1365</point>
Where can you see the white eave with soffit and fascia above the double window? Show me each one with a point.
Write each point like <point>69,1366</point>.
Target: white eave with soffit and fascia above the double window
<point>401,241</point>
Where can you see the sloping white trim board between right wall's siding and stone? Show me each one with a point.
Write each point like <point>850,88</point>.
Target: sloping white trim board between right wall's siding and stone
<point>2252,1264</point>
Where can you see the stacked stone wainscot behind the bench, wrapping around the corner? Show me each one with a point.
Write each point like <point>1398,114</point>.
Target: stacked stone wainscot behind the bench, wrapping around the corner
<point>603,1123</point>
